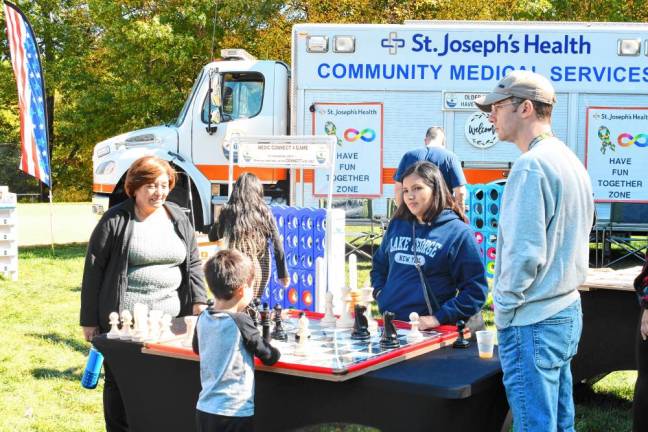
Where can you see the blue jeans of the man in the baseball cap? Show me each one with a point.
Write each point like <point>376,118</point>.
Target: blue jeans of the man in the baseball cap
<point>537,376</point>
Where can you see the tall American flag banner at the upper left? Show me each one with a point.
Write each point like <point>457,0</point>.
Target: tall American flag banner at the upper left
<point>26,64</point>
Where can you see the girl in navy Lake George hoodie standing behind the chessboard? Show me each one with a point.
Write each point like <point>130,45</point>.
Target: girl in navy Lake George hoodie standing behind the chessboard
<point>428,261</point>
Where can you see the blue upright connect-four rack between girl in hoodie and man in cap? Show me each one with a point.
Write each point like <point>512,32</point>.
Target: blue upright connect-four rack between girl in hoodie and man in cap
<point>484,204</point>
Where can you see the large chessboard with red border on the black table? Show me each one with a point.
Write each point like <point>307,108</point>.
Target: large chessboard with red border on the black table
<point>331,353</point>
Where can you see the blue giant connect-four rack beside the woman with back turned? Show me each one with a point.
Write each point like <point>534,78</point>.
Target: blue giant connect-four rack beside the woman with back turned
<point>303,232</point>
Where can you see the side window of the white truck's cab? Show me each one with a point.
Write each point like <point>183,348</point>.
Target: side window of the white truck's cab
<point>242,96</point>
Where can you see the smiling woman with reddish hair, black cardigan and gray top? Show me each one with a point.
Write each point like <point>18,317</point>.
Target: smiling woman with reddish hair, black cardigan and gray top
<point>143,250</point>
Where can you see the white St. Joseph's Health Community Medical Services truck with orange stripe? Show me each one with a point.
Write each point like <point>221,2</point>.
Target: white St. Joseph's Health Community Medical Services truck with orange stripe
<point>378,88</point>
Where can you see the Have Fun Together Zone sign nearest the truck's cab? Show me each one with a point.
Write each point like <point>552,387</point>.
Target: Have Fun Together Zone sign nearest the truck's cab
<point>358,131</point>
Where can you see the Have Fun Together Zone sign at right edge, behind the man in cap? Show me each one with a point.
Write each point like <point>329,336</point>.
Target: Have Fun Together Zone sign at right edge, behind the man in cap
<point>616,153</point>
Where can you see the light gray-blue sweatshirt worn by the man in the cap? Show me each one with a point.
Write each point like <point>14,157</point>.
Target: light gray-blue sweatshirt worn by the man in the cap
<point>543,239</point>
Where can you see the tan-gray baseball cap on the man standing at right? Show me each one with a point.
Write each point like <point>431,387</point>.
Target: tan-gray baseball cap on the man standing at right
<point>523,84</point>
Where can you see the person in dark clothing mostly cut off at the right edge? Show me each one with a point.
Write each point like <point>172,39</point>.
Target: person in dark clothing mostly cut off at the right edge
<point>640,400</point>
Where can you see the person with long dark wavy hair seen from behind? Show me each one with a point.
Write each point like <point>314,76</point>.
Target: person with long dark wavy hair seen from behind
<point>246,223</point>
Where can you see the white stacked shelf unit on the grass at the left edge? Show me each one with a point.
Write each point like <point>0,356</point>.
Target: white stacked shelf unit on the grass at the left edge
<point>8,234</point>
